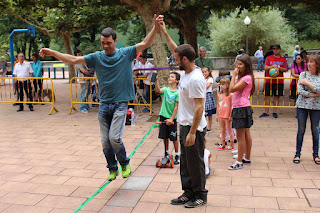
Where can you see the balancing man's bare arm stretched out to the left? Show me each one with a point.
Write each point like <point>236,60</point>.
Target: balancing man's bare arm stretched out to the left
<point>66,58</point>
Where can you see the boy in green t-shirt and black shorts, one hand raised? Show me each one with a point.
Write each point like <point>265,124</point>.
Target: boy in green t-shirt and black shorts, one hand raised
<point>168,114</point>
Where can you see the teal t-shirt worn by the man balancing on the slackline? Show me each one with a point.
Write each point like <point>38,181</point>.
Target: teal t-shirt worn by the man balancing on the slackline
<point>114,73</point>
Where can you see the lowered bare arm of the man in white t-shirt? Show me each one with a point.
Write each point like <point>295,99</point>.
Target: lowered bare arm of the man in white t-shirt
<point>199,106</point>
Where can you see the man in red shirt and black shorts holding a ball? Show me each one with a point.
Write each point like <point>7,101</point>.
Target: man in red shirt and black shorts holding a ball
<point>279,63</point>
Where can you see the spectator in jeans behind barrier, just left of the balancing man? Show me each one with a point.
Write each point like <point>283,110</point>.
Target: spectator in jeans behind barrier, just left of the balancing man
<point>83,71</point>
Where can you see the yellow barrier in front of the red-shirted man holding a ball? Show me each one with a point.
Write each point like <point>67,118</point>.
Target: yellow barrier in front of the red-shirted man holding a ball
<point>256,101</point>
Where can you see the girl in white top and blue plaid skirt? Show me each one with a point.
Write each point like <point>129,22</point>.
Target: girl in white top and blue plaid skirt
<point>210,106</point>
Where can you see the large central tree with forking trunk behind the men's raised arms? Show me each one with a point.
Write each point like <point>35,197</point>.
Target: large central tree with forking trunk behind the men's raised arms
<point>146,9</point>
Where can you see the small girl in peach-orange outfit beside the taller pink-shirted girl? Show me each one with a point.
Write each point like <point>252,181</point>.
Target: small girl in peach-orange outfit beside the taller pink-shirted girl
<point>224,113</point>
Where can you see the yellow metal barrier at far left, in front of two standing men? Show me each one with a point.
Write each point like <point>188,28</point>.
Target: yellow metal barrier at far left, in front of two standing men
<point>9,91</point>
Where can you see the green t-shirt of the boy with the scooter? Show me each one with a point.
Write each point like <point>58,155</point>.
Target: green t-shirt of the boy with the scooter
<point>169,100</point>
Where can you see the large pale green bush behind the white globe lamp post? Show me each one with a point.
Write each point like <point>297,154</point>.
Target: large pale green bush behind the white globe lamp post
<point>268,27</point>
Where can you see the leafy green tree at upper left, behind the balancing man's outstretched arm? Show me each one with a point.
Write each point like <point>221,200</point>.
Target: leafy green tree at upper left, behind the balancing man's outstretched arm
<point>63,17</point>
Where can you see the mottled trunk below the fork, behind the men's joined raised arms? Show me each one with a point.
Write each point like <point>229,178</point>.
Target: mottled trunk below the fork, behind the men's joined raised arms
<point>157,48</point>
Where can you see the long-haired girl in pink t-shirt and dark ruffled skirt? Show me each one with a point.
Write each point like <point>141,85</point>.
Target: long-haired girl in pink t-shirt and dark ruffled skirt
<point>242,111</point>
